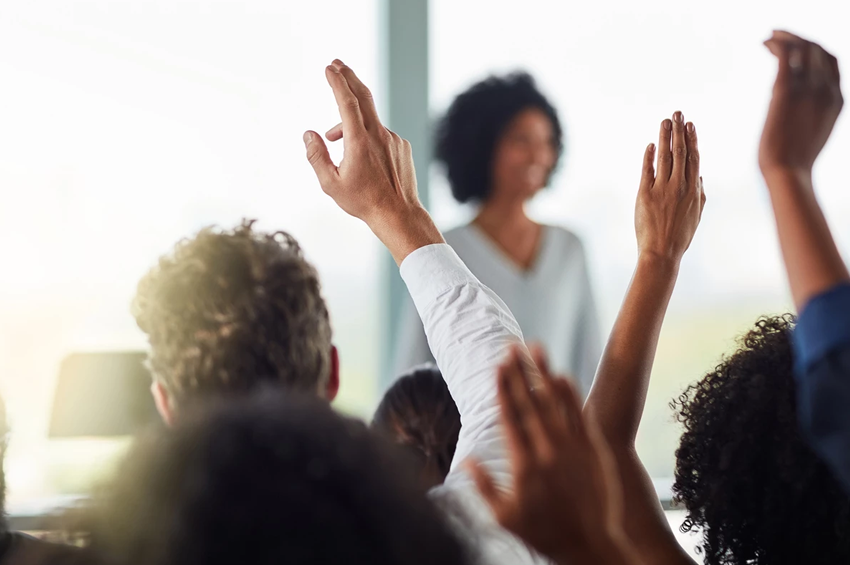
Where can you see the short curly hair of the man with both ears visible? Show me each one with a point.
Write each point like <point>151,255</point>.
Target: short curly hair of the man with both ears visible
<point>230,309</point>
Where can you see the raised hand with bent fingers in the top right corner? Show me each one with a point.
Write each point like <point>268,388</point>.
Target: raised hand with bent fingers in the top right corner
<point>805,105</point>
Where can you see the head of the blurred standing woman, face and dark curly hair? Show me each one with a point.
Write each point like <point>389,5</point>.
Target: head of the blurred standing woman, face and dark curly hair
<point>500,139</point>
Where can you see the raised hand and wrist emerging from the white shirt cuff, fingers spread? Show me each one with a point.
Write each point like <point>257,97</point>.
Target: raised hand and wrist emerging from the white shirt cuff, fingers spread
<point>376,179</point>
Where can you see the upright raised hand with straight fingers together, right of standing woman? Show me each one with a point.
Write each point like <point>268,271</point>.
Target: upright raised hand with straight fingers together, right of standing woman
<point>670,202</point>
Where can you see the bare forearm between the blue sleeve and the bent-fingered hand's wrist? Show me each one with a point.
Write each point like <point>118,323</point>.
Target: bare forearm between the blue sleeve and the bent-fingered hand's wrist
<point>811,257</point>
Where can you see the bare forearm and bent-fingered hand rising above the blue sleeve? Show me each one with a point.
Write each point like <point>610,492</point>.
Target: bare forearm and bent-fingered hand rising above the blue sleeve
<point>805,105</point>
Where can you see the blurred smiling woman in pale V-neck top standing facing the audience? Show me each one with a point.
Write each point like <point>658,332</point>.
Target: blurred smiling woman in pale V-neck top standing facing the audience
<point>500,142</point>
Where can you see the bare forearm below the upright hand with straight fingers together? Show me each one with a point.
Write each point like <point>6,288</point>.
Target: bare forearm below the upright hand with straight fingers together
<point>617,398</point>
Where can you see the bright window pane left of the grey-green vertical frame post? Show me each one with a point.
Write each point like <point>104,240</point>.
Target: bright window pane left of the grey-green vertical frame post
<point>127,126</point>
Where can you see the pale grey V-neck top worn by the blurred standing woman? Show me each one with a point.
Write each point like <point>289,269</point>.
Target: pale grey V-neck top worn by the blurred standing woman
<point>552,300</point>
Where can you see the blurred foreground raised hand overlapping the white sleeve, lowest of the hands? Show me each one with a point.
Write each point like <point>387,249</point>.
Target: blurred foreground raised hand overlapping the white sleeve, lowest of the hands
<point>565,500</point>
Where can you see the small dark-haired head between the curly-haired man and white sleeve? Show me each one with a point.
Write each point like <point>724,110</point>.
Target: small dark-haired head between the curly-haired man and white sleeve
<point>419,413</point>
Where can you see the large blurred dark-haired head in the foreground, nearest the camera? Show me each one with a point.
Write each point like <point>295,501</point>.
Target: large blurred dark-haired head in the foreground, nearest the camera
<point>268,478</point>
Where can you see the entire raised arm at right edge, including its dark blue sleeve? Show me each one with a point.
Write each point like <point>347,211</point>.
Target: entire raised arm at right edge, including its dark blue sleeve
<point>805,106</point>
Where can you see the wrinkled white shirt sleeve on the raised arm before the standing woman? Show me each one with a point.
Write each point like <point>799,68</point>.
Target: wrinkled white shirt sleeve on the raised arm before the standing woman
<point>469,330</point>
